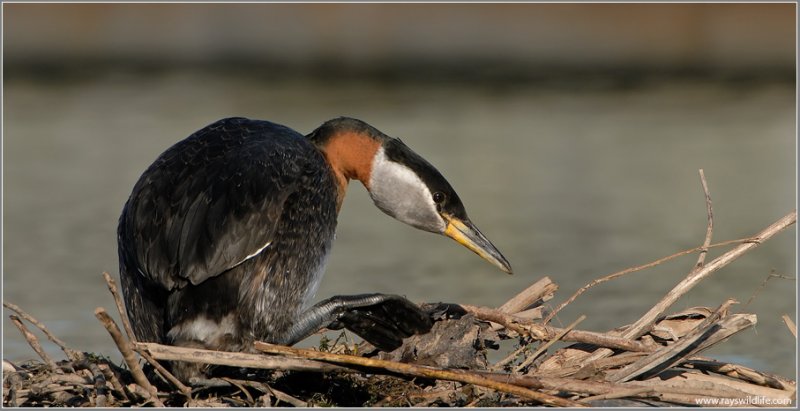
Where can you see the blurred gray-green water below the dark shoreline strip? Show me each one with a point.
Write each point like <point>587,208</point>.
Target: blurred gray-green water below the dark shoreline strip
<point>569,182</point>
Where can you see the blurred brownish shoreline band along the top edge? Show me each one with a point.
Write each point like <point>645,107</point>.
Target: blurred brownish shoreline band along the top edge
<point>467,40</point>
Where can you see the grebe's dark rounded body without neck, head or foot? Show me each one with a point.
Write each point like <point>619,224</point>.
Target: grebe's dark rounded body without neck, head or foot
<point>210,215</point>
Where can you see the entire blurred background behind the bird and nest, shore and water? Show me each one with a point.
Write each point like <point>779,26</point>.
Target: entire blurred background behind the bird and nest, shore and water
<point>573,134</point>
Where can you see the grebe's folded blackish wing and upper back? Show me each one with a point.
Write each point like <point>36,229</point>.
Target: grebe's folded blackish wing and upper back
<point>214,199</point>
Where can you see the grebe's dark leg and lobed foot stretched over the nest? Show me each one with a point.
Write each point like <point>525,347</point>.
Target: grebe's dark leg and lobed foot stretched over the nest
<point>382,319</point>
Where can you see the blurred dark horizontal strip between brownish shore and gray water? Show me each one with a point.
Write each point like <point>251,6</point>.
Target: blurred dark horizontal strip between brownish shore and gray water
<point>496,73</point>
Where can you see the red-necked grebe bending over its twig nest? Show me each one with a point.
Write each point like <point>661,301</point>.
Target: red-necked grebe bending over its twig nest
<point>224,238</point>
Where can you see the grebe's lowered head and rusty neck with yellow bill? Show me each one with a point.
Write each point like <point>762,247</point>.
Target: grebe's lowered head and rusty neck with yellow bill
<point>401,183</point>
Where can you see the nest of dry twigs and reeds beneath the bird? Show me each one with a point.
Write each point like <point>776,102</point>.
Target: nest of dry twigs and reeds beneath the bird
<point>652,362</point>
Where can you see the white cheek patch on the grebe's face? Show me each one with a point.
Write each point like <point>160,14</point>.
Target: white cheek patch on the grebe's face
<point>399,192</point>
